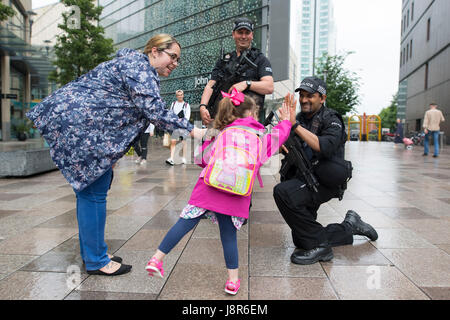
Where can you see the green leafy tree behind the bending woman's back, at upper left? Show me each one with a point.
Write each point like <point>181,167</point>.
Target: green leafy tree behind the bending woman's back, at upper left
<point>81,46</point>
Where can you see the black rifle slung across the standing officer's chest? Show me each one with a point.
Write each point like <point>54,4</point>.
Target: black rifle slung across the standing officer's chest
<point>224,83</point>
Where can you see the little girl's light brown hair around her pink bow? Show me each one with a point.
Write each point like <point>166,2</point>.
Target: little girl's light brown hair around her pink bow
<point>228,112</point>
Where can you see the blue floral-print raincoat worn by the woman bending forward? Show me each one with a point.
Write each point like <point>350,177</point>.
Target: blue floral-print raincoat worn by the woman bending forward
<point>90,123</point>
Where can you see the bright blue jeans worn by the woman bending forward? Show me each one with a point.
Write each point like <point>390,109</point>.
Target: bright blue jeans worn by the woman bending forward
<point>91,215</point>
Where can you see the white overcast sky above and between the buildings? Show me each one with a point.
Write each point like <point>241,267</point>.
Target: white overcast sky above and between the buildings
<point>372,30</point>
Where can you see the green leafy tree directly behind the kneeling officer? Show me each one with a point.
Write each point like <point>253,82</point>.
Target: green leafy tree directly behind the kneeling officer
<point>342,85</point>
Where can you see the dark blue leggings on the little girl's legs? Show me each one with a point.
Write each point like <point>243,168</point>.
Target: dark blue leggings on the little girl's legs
<point>227,236</point>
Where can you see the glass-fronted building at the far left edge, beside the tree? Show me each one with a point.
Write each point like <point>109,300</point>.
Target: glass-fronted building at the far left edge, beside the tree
<point>24,69</point>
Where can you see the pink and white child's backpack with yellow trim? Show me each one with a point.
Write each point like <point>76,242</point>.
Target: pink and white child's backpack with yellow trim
<point>234,163</point>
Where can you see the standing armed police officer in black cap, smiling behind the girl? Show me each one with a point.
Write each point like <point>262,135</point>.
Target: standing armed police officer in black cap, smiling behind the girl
<point>245,69</point>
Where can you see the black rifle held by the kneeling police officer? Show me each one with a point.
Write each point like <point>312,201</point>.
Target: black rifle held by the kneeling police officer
<point>295,159</point>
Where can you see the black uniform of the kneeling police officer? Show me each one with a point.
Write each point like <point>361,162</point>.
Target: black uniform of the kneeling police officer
<point>298,204</point>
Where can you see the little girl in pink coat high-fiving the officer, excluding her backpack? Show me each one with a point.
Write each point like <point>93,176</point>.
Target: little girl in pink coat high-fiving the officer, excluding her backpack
<point>226,209</point>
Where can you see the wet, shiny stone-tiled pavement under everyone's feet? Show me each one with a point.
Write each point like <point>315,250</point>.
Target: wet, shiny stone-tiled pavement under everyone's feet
<point>404,195</point>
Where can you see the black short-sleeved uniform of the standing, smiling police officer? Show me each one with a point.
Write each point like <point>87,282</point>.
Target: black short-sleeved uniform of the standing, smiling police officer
<point>223,67</point>
